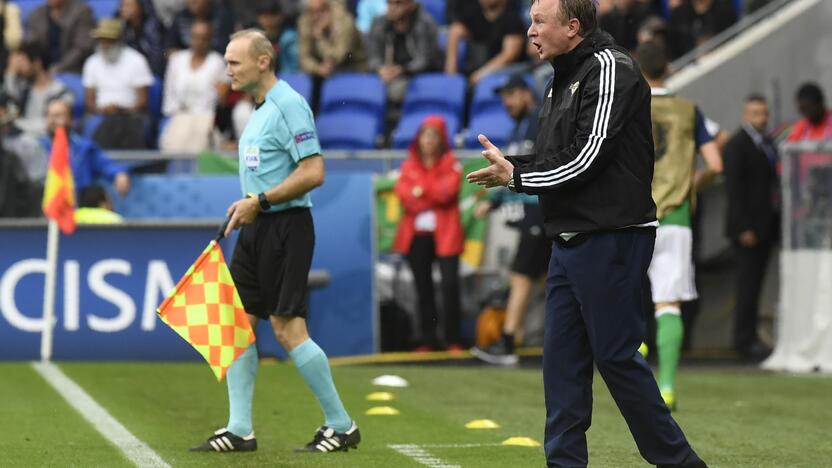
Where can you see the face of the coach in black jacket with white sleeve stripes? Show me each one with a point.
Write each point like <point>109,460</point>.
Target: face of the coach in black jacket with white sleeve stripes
<point>548,33</point>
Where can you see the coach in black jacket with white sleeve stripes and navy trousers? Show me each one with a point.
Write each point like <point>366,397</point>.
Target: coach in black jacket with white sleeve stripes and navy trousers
<point>592,168</point>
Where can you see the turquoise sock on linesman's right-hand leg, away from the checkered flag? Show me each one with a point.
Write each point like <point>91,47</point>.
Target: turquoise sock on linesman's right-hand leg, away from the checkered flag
<point>311,361</point>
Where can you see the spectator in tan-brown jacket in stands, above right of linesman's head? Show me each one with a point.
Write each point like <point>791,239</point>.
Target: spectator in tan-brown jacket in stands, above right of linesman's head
<point>329,40</point>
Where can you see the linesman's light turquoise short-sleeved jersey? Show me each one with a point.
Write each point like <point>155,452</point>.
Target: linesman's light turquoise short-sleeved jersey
<point>280,132</point>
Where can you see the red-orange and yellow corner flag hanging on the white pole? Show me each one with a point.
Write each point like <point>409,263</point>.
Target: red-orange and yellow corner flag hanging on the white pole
<point>59,192</point>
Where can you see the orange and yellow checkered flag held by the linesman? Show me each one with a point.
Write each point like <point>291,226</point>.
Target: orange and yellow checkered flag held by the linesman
<point>205,309</point>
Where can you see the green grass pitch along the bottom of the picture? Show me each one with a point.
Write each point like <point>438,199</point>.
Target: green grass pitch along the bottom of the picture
<point>733,417</point>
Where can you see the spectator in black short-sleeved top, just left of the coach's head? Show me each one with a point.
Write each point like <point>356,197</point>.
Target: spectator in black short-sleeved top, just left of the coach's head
<point>495,35</point>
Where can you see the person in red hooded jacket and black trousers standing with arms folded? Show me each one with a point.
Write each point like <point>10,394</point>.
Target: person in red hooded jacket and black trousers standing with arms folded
<point>430,229</point>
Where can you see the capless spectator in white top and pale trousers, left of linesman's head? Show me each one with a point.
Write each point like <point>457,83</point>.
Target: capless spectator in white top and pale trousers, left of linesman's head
<point>195,84</point>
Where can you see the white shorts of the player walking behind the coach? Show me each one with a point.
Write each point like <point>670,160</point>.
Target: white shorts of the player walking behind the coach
<point>671,271</point>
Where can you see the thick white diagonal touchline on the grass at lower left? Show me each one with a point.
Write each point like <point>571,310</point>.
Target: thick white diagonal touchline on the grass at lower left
<point>134,449</point>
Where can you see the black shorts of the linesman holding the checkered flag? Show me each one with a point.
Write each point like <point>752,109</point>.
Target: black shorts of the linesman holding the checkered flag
<point>271,263</point>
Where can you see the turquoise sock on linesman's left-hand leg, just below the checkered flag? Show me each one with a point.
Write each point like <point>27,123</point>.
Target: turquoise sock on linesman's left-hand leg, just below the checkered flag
<point>240,380</point>
